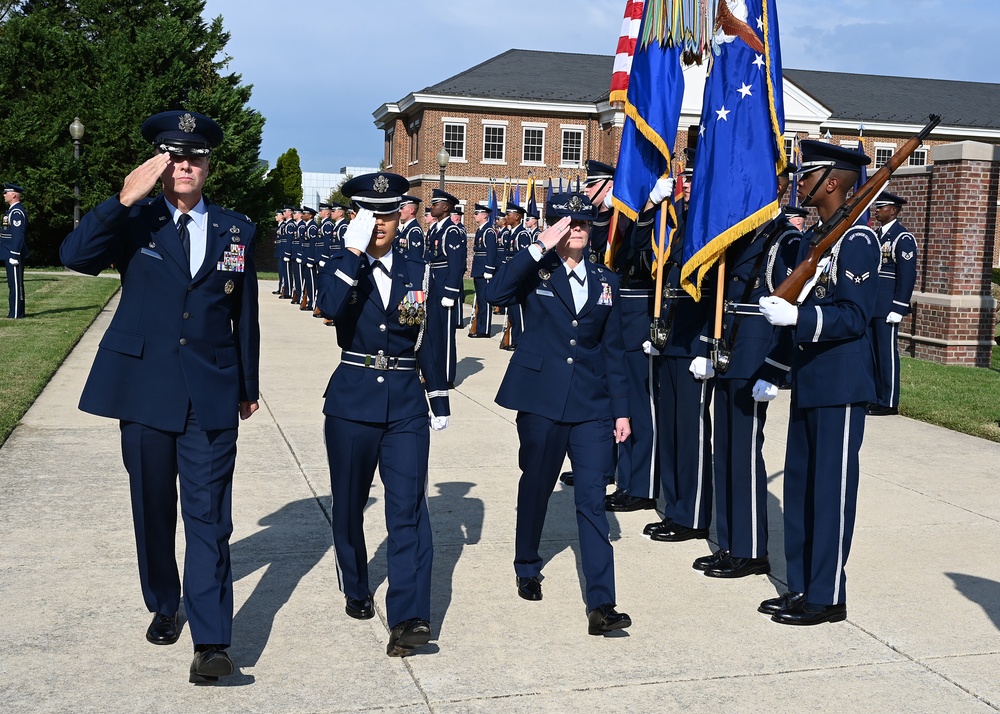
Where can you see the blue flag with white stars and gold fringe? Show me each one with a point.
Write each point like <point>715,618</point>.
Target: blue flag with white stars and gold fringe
<point>741,146</point>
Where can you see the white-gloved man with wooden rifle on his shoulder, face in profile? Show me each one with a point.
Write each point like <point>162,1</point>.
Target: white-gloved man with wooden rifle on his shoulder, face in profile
<point>833,379</point>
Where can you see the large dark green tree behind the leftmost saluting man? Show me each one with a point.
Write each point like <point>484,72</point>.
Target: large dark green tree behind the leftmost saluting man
<point>114,64</point>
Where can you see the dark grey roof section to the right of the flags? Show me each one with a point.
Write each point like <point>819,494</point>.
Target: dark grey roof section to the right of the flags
<point>901,99</point>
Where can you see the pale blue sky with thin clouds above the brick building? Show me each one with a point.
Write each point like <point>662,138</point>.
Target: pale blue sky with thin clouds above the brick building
<point>320,68</point>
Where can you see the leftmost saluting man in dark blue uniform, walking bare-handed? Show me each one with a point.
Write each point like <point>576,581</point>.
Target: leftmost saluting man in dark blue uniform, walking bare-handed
<point>178,368</point>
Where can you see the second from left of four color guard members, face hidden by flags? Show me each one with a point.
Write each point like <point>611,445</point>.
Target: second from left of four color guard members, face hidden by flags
<point>684,423</point>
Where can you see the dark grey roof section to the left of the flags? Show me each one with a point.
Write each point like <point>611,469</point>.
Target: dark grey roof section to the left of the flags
<point>534,75</point>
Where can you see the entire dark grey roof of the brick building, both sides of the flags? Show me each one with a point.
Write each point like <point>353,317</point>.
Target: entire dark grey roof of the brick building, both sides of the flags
<point>569,77</point>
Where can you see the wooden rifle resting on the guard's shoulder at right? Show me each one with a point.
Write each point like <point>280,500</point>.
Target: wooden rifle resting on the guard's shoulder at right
<point>826,235</point>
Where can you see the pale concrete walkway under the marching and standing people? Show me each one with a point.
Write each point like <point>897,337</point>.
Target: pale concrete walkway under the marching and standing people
<point>923,629</point>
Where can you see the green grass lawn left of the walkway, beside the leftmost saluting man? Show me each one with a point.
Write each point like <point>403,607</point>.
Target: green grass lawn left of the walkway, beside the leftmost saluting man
<point>60,308</point>
